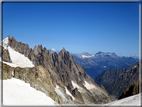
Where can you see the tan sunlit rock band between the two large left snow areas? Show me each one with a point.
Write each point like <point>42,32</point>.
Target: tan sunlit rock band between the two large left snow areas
<point>38,78</point>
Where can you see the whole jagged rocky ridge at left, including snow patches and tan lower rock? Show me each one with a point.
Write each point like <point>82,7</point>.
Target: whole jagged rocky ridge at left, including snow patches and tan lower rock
<point>56,75</point>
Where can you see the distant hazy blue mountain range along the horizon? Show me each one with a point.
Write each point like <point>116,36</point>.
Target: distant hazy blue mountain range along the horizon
<point>95,64</point>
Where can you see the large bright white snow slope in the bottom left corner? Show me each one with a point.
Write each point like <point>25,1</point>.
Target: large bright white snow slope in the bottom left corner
<point>17,92</point>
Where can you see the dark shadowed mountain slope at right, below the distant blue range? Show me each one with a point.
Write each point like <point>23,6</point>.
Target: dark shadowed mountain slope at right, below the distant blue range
<point>119,80</point>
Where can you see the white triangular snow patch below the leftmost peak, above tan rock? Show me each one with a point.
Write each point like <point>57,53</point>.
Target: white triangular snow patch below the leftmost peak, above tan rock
<point>19,59</point>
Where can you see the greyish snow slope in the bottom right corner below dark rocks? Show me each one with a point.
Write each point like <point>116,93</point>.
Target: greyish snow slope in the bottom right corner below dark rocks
<point>134,100</point>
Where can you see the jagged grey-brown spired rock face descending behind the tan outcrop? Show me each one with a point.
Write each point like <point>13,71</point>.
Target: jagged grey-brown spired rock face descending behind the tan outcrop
<point>65,73</point>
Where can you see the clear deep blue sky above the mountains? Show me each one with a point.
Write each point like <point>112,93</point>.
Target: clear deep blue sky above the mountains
<point>79,27</point>
